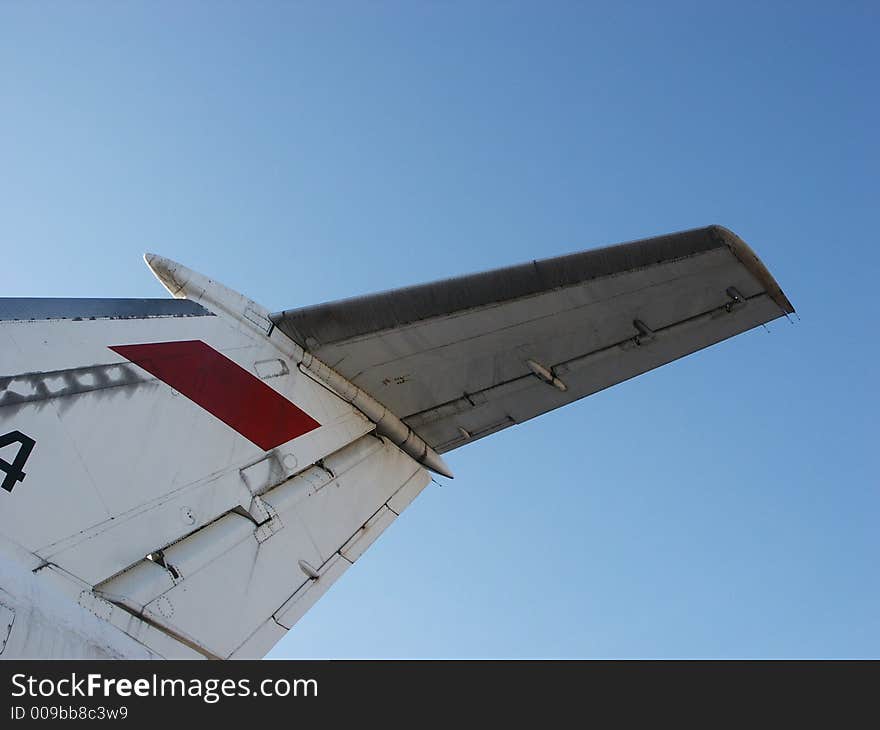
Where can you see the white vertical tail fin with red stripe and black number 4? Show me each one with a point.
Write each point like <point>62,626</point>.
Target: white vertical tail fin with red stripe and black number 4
<point>174,472</point>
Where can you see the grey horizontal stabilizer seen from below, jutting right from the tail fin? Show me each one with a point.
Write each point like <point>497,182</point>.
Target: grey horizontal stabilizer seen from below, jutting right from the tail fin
<point>461,358</point>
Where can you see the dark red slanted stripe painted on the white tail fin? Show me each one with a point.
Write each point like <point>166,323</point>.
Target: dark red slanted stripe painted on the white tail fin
<point>224,389</point>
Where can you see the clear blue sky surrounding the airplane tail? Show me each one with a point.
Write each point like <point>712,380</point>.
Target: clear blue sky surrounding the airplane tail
<point>726,505</point>
